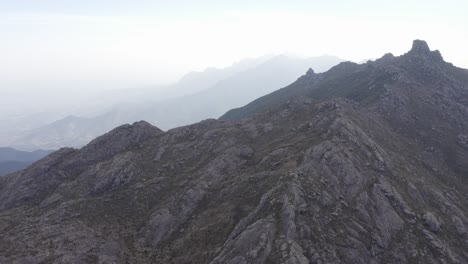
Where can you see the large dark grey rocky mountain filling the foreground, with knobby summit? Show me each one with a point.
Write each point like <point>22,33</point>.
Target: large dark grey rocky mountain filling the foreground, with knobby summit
<point>360,164</point>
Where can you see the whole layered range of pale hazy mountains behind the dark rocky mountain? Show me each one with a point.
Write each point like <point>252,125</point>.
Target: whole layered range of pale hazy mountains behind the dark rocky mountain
<point>195,97</point>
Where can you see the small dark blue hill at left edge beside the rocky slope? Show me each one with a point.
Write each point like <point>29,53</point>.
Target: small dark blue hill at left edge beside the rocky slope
<point>13,160</point>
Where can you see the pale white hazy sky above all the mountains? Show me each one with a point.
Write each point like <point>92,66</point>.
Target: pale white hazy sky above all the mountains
<point>109,43</point>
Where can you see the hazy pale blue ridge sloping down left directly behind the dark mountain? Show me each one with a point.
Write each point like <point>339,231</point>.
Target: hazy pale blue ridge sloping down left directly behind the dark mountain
<point>231,92</point>
